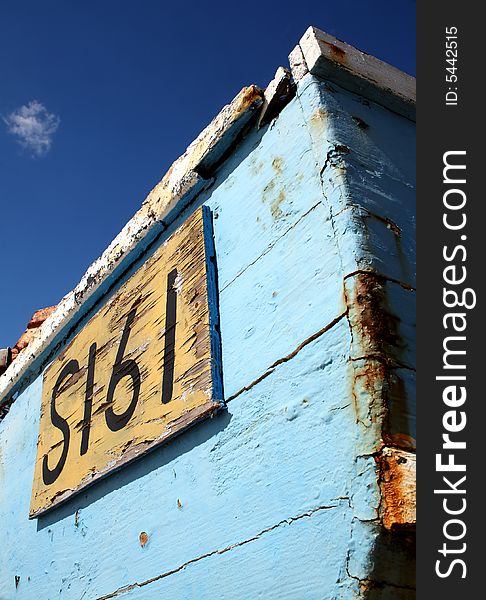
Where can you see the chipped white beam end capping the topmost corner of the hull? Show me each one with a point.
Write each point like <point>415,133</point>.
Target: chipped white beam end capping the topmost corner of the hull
<point>338,62</point>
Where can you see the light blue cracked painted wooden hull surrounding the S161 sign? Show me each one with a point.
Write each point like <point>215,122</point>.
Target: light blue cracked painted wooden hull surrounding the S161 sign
<point>274,497</point>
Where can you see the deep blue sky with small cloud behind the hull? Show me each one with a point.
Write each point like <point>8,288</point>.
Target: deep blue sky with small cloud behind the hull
<point>97,98</point>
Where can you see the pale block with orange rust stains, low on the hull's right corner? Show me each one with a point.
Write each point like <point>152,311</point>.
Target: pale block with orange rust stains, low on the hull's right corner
<point>396,470</point>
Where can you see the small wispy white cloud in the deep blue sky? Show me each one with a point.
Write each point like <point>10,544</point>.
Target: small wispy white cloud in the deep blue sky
<point>33,127</point>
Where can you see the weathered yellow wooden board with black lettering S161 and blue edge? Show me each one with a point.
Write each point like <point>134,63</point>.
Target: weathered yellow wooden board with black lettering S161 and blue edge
<point>142,370</point>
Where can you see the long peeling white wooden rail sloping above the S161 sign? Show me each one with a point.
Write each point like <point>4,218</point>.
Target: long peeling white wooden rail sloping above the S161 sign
<point>179,186</point>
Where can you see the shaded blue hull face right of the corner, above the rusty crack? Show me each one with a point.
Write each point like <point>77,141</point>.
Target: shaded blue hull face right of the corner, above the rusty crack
<point>367,159</point>
